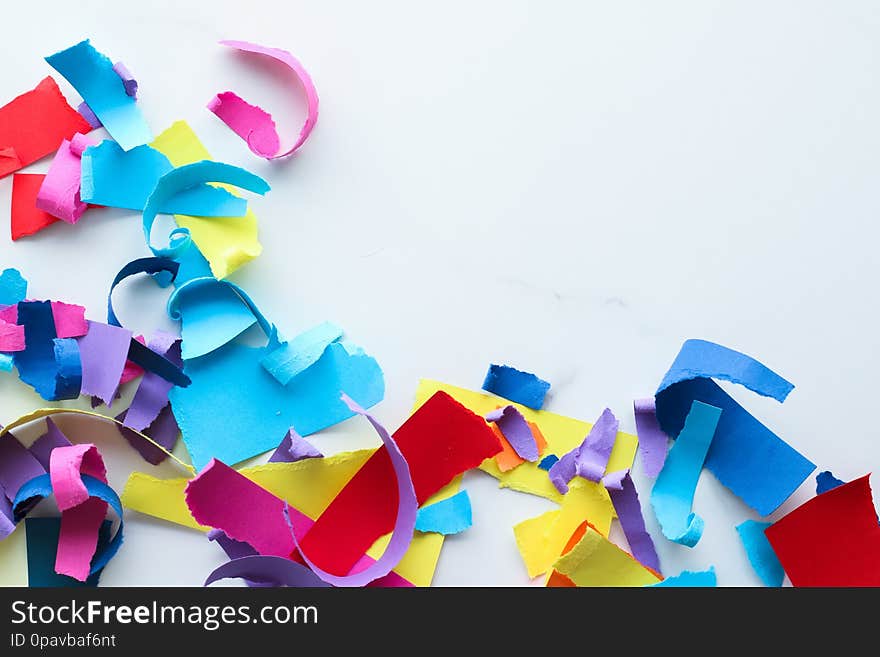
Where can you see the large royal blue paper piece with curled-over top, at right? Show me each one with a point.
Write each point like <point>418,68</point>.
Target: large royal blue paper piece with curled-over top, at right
<point>753,462</point>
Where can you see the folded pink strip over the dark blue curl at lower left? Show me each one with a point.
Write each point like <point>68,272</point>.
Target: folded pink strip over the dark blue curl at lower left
<point>81,516</point>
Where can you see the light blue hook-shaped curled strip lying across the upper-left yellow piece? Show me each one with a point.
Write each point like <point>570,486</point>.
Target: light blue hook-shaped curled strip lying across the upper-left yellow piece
<point>180,182</point>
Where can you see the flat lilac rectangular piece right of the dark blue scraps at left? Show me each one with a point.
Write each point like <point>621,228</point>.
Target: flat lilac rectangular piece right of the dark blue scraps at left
<point>103,350</point>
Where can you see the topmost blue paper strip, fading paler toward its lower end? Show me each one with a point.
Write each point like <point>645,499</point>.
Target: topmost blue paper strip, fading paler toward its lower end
<point>92,75</point>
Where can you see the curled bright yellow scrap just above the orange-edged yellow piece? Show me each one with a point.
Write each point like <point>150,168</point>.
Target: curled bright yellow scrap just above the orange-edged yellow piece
<point>543,538</point>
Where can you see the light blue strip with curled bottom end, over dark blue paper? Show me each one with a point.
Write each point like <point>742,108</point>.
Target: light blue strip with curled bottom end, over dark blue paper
<point>673,494</point>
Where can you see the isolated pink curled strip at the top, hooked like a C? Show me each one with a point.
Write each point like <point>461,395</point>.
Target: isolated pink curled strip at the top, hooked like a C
<point>254,124</point>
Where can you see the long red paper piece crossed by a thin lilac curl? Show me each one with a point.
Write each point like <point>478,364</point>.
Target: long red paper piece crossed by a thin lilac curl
<point>440,440</point>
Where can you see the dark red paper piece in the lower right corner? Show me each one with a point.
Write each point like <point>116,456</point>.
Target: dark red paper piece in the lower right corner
<point>831,540</point>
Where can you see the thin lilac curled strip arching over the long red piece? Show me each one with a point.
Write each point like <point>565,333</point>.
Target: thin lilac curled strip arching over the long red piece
<point>404,526</point>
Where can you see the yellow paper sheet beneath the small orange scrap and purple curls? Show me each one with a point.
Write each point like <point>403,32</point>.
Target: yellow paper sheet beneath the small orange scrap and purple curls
<point>562,433</point>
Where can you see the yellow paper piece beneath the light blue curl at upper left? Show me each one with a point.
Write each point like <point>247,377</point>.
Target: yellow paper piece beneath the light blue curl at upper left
<point>226,242</point>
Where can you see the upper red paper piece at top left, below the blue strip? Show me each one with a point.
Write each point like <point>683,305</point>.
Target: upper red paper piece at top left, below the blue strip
<point>34,125</point>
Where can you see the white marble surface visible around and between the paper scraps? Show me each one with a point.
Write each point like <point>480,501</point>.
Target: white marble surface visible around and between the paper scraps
<point>573,188</point>
